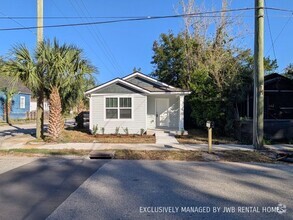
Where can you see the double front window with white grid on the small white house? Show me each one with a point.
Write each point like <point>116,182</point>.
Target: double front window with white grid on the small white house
<point>118,108</point>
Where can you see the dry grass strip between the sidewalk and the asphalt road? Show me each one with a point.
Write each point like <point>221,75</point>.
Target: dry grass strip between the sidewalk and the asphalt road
<point>230,156</point>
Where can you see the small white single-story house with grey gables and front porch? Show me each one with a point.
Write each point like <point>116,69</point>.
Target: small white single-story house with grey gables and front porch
<point>136,102</point>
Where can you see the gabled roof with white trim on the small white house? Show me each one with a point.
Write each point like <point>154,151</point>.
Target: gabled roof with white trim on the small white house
<point>142,83</point>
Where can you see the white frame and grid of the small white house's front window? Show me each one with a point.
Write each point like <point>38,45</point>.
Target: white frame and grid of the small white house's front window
<point>118,108</point>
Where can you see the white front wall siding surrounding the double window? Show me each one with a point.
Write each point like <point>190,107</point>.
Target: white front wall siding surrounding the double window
<point>134,125</point>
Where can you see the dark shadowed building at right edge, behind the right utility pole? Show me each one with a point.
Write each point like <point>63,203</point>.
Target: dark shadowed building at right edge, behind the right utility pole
<point>278,109</point>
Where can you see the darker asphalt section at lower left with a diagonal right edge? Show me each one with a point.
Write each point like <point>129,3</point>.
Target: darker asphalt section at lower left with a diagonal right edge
<point>34,189</point>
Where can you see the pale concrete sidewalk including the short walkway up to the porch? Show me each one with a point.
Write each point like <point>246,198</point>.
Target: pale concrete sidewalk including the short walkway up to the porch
<point>163,142</point>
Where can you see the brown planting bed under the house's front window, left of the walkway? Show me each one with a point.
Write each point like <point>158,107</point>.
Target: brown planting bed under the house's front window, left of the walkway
<point>76,136</point>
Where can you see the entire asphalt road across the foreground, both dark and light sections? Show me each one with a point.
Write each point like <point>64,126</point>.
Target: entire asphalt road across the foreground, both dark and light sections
<point>79,188</point>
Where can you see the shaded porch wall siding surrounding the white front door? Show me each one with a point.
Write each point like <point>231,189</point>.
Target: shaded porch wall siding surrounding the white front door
<point>173,110</point>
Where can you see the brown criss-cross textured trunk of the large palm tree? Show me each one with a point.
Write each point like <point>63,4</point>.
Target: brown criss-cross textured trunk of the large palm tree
<point>56,124</point>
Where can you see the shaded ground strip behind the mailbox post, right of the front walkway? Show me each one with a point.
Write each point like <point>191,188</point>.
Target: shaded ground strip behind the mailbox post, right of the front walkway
<point>198,136</point>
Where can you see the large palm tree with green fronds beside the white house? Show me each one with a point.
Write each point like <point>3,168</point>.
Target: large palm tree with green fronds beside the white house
<point>65,73</point>
